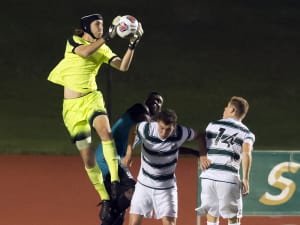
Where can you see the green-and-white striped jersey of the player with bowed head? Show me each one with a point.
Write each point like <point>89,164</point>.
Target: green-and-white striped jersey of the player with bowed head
<point>159,156</point>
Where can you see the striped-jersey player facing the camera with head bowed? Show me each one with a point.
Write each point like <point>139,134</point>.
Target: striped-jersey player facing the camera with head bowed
<point>156,188</point>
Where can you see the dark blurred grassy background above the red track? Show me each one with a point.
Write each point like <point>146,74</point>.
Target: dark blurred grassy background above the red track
<point>196,53</point>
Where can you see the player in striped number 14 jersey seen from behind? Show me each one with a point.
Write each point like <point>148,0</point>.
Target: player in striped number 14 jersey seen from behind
<point>229,144</point>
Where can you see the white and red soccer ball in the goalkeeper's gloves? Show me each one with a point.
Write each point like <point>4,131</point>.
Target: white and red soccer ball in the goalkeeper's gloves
<point>127,26</point>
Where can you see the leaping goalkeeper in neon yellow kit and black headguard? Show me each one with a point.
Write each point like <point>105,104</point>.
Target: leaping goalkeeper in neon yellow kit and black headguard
<point>83,105</point>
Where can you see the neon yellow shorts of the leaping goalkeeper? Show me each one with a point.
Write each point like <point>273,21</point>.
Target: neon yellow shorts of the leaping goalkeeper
<point>79,113</point>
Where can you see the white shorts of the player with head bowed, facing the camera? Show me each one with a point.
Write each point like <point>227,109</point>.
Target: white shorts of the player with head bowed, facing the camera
<point>145,200</point>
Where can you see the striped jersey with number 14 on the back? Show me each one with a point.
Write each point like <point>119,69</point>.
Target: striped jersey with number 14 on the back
<point>224,140</point>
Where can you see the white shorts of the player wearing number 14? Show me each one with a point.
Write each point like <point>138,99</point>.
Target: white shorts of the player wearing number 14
<point>220,199</point>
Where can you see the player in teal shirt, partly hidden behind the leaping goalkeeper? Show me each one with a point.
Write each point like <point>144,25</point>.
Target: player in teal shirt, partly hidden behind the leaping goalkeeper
<point>120,130</point>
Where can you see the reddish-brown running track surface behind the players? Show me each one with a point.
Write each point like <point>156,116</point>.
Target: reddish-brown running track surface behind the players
<point>54,190</point>
